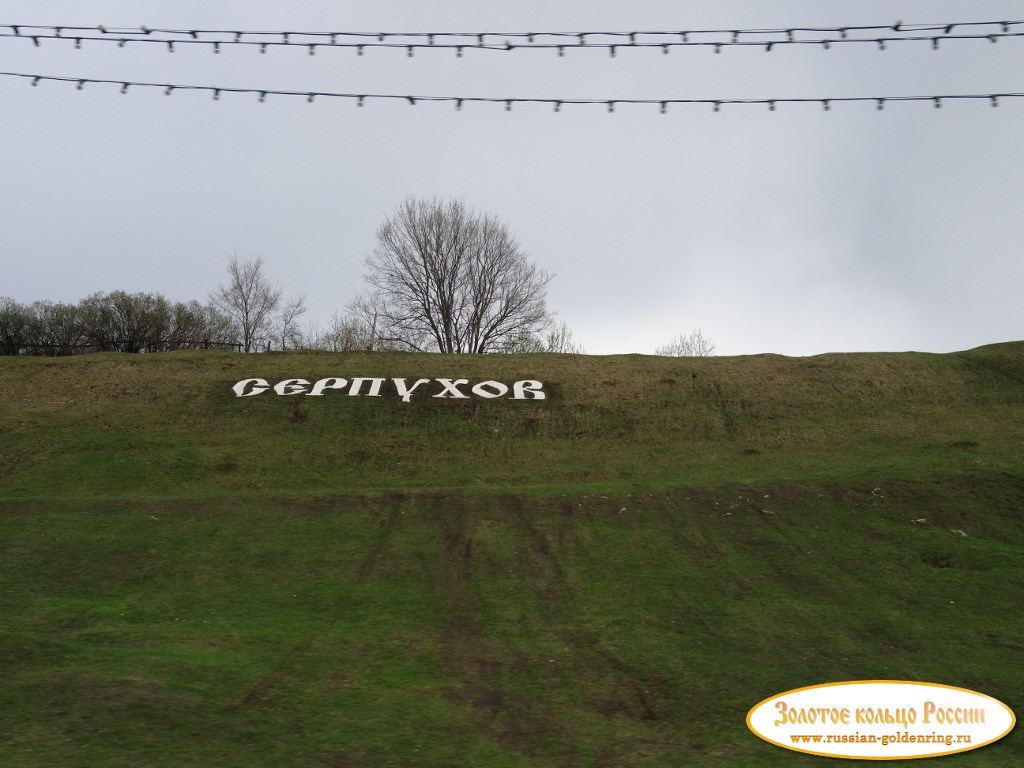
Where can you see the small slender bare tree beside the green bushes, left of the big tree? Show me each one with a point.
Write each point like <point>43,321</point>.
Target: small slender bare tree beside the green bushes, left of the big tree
<point>249,300</point>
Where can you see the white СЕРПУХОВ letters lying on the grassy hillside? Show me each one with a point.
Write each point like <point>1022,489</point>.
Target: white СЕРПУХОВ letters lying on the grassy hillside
<point>528,390</point>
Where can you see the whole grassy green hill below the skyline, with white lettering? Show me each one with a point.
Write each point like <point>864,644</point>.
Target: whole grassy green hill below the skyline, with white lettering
<point>610,577</point>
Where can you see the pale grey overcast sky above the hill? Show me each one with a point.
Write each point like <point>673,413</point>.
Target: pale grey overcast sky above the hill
<point>797,231</point>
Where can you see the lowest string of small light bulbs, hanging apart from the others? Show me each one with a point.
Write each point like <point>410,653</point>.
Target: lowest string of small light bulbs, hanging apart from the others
<point>558,104</point>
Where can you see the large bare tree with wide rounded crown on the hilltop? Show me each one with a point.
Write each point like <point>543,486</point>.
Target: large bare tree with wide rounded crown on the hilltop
<point>450,280</point>
